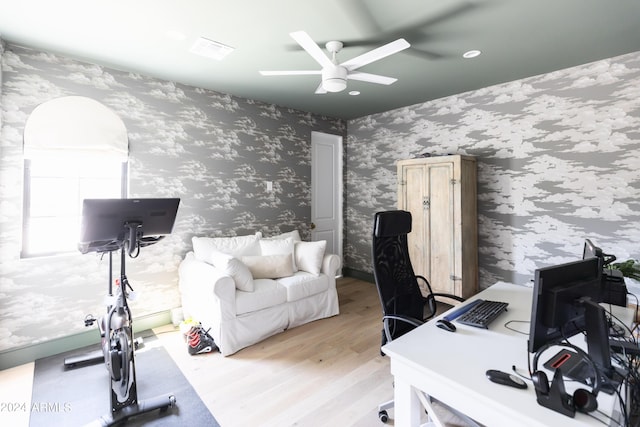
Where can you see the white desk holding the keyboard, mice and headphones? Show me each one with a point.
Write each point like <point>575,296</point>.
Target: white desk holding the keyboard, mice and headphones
<point>450,367</point>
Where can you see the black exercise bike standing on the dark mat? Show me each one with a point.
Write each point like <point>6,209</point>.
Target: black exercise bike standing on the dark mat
<point>116,330</point>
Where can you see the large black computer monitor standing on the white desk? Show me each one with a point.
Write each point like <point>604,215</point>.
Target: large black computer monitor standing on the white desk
<point>555,312</point>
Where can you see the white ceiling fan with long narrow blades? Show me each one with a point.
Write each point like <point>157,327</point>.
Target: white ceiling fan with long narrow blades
<point>334,74</point>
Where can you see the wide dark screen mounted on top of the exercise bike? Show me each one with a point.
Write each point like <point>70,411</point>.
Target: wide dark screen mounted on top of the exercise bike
<point>104,221</point>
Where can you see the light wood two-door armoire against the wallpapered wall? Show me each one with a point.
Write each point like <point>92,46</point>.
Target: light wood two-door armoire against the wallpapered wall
<point>441,194</point>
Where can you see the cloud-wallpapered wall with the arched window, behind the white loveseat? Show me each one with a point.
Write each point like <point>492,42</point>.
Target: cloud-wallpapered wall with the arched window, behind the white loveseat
<point>212,150</point>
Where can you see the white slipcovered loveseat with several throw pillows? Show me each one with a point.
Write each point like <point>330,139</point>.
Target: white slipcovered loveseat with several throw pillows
<point>248,288</point>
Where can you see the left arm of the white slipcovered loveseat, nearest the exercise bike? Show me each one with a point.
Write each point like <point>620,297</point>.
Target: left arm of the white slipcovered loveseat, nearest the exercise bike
<point>204,288</point>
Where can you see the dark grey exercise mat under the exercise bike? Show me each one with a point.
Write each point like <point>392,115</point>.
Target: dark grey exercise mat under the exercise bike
<point>79,396</point>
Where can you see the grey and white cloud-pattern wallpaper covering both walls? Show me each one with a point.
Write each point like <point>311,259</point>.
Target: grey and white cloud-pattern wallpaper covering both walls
<point>557,163</point>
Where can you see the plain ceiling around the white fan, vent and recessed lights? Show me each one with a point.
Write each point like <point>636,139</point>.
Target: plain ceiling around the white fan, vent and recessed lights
<point>518,38</point>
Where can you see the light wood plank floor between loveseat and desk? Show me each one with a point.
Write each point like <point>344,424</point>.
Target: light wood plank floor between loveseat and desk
<point>325,373</point>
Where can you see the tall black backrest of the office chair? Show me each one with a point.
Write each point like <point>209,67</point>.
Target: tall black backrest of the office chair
<point>396,282</point>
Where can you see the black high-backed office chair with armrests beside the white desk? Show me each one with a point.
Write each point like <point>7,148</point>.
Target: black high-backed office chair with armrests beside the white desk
<point>403,305</point>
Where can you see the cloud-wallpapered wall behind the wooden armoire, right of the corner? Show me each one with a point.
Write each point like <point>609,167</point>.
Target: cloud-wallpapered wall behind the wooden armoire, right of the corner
<point>558,162</point>
